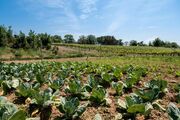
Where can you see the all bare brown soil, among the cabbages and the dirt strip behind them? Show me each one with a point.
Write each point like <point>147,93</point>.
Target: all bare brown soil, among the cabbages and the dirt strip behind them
<point>109,112</point>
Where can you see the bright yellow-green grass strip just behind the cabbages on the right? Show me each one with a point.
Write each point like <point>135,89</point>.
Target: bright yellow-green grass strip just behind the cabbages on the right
<point>140,60</point>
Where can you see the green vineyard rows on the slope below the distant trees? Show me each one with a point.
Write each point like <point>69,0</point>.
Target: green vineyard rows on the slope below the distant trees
<point>112,50</point>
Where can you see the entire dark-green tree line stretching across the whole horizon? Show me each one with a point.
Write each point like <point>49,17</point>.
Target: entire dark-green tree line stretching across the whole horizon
<point>44,40</point>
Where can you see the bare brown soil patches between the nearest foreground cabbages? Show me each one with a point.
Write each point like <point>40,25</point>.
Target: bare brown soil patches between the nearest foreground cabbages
<point>107,112</point>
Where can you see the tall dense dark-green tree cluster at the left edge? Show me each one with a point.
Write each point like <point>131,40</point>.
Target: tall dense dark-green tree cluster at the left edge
<point>32,40</point>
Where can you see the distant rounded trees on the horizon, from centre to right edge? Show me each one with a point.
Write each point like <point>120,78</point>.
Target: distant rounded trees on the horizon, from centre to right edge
<point>111,40</point>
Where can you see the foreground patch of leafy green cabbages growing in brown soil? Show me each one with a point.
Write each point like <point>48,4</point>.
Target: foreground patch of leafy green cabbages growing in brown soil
<point>86,91</point>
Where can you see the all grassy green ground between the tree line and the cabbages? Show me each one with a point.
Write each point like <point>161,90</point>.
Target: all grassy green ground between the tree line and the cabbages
<point>109,54</point>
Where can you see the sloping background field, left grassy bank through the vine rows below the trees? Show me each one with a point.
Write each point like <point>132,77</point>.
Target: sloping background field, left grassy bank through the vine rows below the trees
<point>77,50</point>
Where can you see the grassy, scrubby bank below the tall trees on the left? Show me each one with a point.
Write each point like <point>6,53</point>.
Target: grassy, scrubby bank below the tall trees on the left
<point>30,54</point>
